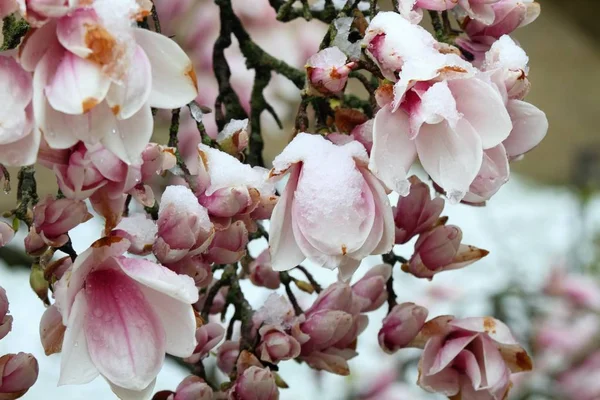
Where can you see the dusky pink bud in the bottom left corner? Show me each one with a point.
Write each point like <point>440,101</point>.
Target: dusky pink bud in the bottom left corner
<point>19,373</point>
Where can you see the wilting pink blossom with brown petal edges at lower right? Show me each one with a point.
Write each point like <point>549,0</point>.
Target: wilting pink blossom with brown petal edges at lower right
<point>471,357</point>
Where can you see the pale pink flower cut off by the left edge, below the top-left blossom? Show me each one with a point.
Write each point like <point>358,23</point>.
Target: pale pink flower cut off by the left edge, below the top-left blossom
<point>19,141</point>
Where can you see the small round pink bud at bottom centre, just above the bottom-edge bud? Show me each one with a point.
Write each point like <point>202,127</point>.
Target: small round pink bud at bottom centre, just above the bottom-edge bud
<point>276,345</point>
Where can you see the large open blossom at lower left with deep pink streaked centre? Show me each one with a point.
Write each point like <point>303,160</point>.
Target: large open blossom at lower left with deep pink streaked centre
<point>122,315</point>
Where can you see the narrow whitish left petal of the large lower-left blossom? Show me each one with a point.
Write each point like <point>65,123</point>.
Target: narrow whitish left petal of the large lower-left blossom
<point>76,366</point>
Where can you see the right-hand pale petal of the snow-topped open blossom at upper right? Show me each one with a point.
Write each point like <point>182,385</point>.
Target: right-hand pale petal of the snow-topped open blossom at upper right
<point>481,105</point>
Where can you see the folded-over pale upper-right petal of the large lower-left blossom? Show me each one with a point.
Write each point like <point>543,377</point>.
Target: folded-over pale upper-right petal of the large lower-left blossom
<point>160,279</point>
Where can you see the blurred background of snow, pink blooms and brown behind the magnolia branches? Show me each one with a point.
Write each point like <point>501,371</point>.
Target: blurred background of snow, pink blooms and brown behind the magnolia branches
<point>542,276</point>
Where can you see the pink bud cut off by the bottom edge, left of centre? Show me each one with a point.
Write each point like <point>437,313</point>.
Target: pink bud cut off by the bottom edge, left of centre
<point>255,384</point>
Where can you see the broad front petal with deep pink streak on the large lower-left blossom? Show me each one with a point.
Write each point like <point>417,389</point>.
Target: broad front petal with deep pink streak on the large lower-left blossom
<point>125,338</point>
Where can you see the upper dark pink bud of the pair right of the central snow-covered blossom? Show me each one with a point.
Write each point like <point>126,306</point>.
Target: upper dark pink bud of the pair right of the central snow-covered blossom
<point>417,212</point>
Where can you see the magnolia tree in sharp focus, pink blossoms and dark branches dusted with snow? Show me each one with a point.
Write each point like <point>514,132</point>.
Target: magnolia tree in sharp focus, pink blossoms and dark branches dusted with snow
<point>85,85</point>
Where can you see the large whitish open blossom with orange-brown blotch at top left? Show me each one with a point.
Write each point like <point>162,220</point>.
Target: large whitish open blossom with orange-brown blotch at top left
<point>97,76</point>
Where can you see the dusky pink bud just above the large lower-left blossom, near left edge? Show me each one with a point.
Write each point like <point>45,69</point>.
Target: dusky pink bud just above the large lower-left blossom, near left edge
<point>52,220</point>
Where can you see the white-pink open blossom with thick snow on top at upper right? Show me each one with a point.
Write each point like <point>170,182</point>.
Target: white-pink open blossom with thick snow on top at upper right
<point>433,113</point>
